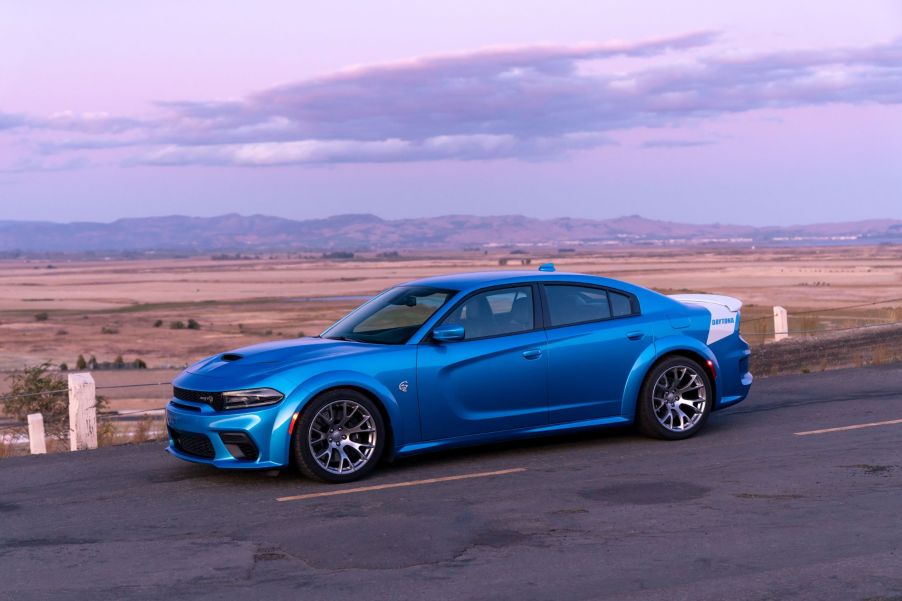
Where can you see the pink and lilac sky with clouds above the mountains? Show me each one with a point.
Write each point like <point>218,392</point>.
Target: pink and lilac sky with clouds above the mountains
<point>765,114</point>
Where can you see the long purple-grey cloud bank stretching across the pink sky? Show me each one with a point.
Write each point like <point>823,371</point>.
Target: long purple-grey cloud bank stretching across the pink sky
<point>529,103</point>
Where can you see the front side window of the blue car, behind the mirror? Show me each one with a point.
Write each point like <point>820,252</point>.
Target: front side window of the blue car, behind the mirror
<point>495,313</point>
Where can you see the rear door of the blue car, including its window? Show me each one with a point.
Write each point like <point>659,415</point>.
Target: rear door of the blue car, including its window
<point>595,335</point>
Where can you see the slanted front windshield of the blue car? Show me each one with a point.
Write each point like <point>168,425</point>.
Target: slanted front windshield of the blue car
<point>392,317</point>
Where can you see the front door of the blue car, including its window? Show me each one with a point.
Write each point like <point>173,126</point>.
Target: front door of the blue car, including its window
<point>493,380</point>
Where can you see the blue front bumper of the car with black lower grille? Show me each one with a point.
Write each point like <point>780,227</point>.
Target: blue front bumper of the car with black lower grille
<point>227,440</point>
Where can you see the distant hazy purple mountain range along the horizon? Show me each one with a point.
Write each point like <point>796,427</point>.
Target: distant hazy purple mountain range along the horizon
<point>239,233</point>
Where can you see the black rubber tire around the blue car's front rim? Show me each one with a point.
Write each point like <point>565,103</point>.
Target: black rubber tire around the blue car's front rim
<point>301,450</point>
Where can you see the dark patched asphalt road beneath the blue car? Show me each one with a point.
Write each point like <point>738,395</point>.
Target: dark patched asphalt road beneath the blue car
<point>747,510</point>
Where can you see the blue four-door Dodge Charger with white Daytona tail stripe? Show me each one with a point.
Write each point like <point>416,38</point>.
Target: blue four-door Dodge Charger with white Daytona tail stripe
<point>464,359</point>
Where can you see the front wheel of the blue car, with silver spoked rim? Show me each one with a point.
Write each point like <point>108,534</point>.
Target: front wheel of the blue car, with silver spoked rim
<point>339,437</point>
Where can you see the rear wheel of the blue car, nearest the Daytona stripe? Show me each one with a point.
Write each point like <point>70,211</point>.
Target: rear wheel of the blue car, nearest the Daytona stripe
<point>675,400</point>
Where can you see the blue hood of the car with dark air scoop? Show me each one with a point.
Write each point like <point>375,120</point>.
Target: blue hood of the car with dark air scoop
<point>270,357</point>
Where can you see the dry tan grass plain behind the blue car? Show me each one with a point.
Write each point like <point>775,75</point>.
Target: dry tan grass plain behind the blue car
<point>60,310</point>
